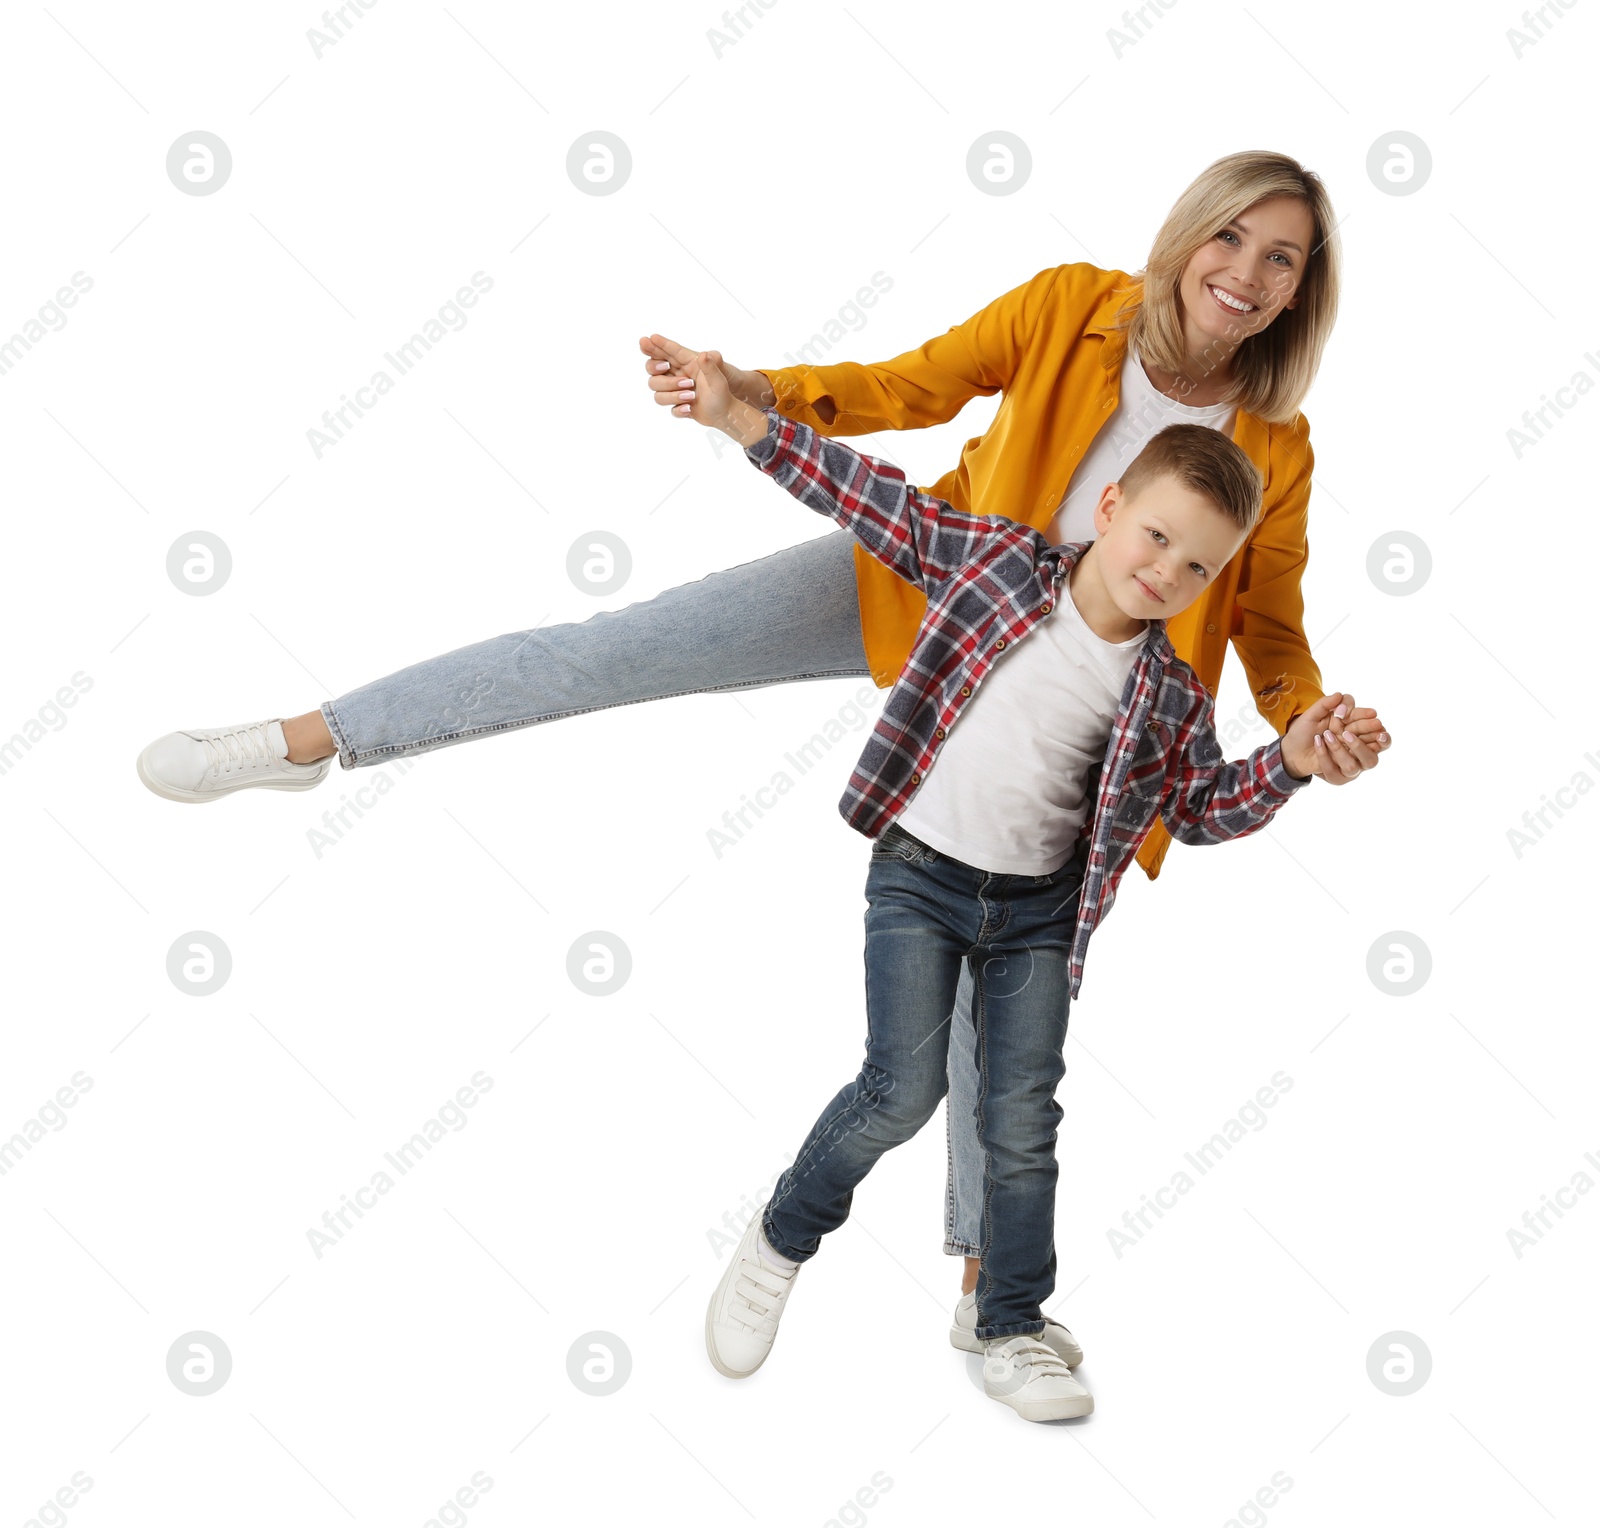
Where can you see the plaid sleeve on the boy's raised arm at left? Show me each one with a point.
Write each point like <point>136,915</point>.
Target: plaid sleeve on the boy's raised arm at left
<point>922,538</point>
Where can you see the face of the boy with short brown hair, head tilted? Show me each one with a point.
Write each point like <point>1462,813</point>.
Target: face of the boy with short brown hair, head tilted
<point>1161,550</point>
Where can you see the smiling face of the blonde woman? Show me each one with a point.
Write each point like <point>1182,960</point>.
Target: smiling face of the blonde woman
<point>1249,273</point>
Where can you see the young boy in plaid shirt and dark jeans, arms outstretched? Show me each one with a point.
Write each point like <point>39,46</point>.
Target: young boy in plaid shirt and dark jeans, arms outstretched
<point>999,839</point>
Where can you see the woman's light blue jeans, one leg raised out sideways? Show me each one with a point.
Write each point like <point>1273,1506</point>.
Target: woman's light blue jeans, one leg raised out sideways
<point>782,618</point>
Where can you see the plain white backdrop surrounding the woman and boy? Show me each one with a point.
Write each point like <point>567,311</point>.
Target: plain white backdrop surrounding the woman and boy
<point>431,943</point>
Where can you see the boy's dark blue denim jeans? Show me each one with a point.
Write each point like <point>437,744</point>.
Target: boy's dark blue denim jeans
<point>929,916</point>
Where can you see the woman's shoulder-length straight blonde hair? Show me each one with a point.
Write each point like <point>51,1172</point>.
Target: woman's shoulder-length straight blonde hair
<point>1273,370</point>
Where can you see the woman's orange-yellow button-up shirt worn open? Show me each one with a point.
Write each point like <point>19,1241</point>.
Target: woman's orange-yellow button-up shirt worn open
<point>1052,350</point>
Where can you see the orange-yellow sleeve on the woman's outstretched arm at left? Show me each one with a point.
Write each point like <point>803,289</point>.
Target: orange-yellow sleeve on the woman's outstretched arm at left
<point>921,388</point>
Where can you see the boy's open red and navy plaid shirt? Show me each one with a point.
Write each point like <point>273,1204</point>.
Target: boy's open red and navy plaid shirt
<point>990,582</point>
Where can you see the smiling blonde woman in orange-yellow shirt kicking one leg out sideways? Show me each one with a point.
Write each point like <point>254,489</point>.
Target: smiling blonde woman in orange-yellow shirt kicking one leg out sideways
<point>1225,327</point>
